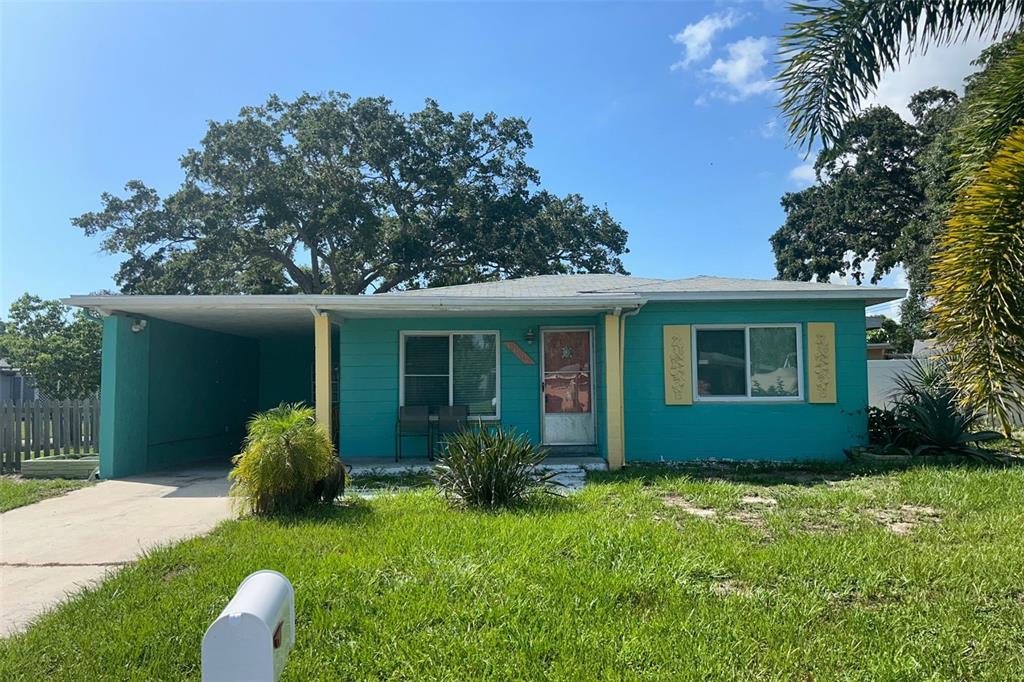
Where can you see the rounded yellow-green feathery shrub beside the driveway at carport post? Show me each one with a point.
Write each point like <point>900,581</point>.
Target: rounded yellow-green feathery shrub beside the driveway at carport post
<point>288,463</point>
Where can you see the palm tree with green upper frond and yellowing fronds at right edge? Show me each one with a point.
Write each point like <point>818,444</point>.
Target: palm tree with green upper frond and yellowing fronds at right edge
<point>832,59</point>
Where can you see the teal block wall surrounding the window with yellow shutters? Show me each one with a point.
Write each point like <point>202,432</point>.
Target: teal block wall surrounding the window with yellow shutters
<point>744,431</point>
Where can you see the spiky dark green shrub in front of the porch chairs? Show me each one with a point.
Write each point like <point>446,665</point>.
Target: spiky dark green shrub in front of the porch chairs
<point>490,468</point>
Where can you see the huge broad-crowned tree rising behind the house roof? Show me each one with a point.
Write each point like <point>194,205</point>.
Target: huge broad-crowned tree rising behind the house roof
<point>327,195</point>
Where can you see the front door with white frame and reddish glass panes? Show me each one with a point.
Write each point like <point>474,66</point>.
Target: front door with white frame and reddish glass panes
<point>568,387</point>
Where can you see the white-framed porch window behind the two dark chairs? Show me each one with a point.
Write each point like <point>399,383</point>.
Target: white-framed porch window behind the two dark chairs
<point>451,369</point>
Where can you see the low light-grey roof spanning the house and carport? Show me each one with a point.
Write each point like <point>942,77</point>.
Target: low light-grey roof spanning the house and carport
<point>551,294</point>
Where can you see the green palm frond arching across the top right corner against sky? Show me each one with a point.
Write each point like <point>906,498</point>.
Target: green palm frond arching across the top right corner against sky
<point>834,57</point>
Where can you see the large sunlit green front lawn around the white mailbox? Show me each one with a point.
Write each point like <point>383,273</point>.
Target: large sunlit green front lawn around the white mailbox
<point>691,573</point>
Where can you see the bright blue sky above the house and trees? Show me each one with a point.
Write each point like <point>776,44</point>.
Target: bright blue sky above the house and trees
<point>661,112</point>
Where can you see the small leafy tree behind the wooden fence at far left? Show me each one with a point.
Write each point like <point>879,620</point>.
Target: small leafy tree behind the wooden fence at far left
<point>59,350</point>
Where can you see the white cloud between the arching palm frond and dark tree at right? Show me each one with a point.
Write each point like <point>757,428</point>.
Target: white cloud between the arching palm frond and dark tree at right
<point>946,66</point>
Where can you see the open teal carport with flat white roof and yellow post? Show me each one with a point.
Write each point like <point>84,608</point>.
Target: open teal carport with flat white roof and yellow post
<point>182,375</point>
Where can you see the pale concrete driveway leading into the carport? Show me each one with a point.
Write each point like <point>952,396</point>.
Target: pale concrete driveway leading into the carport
<point>51,549</point>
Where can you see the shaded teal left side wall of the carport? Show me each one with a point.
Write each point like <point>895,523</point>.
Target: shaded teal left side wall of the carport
<point>172,395</point>
